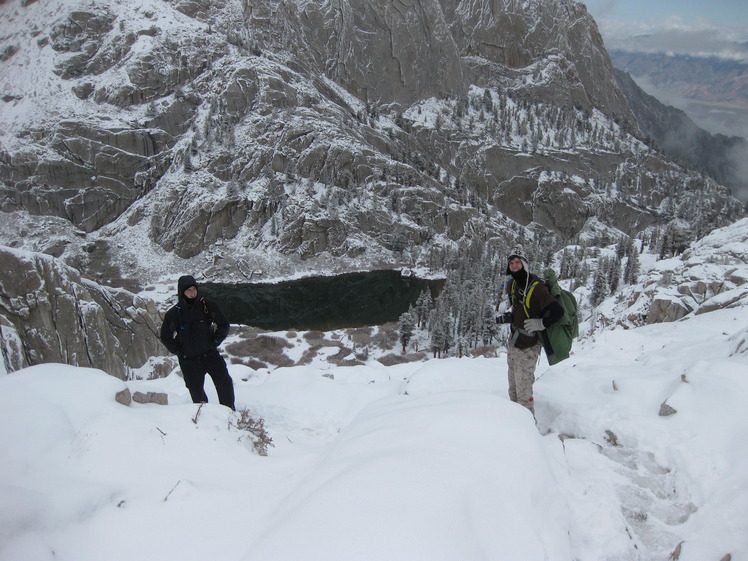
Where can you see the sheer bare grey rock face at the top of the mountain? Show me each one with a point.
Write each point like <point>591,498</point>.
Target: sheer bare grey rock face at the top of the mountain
<point>384,52</point>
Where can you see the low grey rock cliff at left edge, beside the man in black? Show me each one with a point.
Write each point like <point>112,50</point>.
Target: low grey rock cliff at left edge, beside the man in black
<point>50,314</point>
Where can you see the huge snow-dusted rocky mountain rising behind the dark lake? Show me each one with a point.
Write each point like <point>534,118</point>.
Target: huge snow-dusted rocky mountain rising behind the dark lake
<point>321,135</point>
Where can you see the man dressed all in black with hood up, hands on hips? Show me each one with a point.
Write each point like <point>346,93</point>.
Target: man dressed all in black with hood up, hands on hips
<point>193,329</point>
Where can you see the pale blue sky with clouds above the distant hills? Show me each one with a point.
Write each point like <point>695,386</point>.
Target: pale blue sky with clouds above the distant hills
<point>696,27</point>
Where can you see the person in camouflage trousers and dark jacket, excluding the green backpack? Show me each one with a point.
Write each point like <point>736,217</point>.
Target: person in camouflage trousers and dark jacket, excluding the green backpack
<point>533,311</point>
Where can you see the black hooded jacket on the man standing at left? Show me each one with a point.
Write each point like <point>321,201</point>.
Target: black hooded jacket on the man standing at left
<point>193,328</point>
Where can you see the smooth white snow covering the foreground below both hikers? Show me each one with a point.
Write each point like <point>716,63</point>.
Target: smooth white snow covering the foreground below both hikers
<point>419,461</point>
